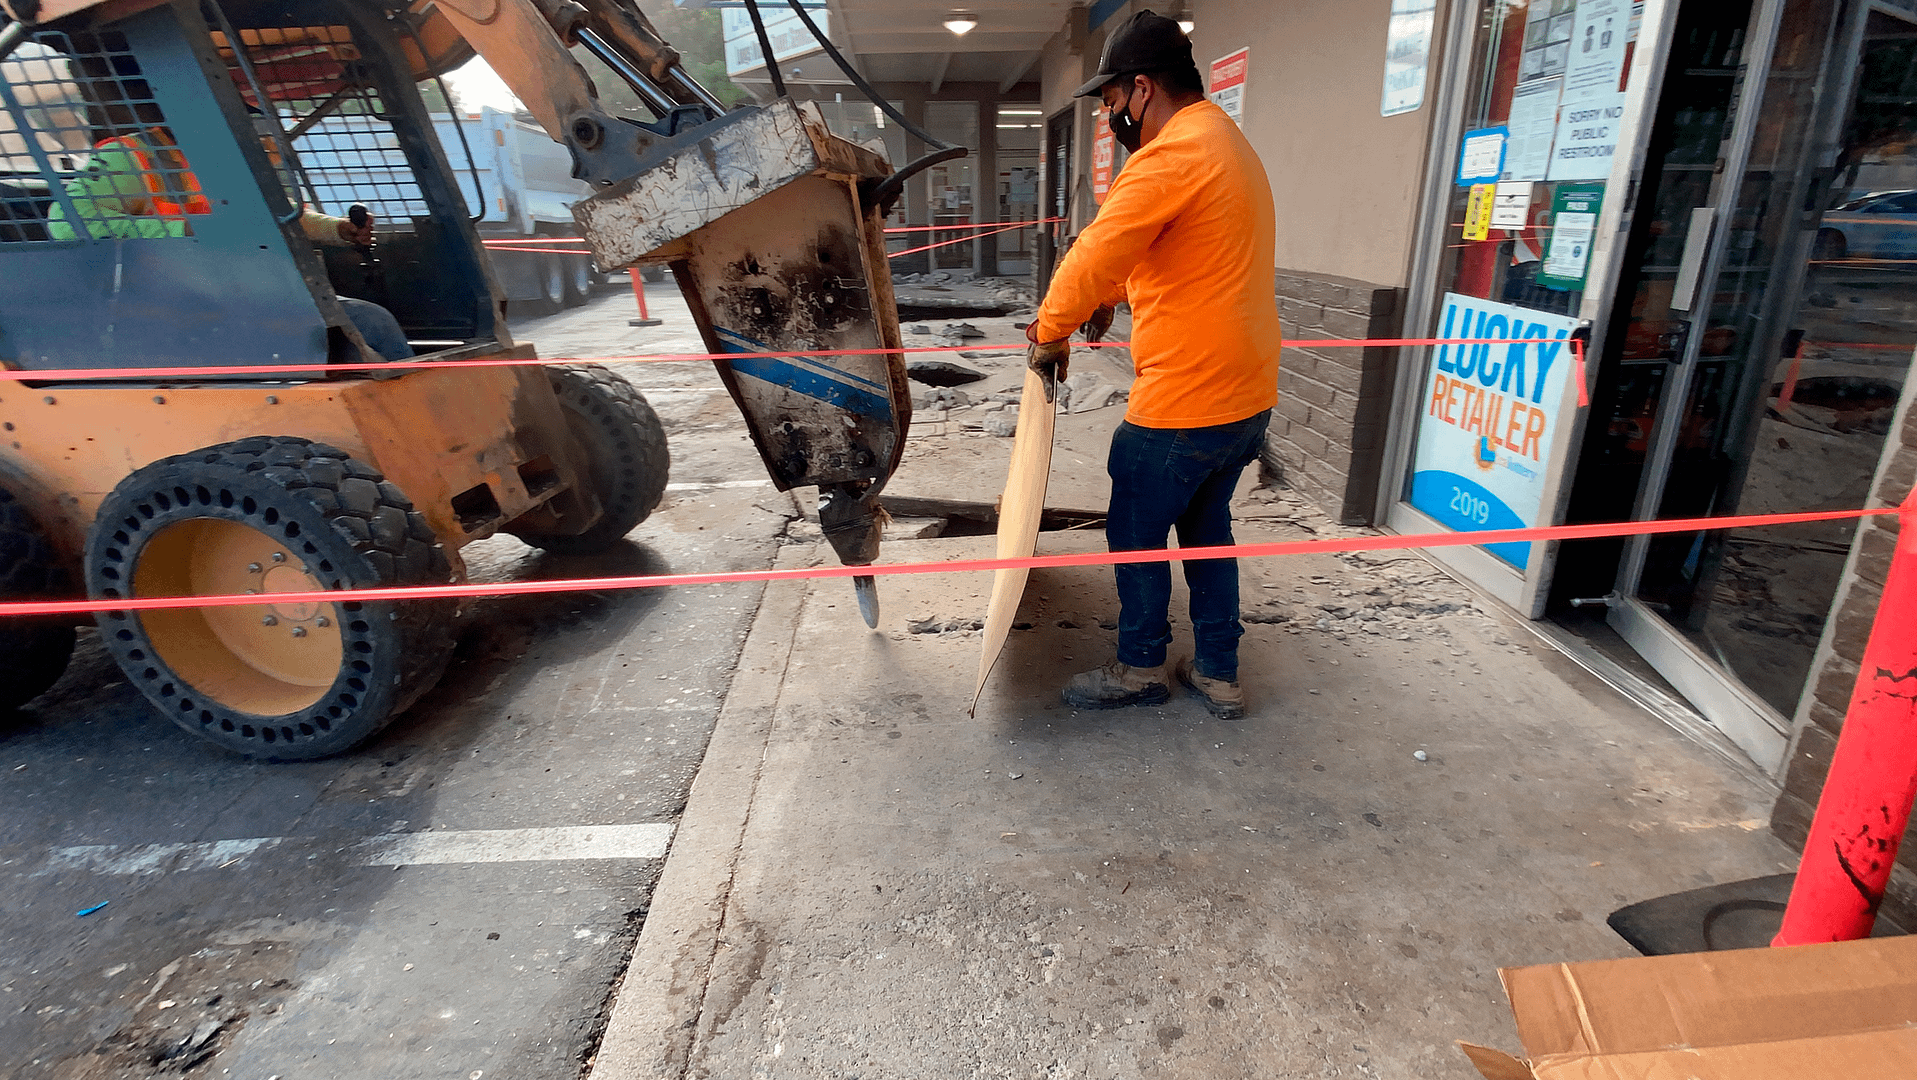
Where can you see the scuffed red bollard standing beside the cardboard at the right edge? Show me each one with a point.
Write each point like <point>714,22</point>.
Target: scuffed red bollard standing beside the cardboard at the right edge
<point>1874,774</point>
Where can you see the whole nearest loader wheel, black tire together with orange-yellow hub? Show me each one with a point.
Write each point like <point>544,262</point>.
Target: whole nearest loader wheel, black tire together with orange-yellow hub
<point>275,515</point>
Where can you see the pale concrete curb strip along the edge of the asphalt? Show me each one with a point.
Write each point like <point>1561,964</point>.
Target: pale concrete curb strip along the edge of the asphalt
<point>655,1018</point>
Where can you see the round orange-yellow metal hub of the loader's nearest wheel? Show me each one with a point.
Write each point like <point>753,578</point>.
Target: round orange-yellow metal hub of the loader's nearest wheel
<point>258,659</point>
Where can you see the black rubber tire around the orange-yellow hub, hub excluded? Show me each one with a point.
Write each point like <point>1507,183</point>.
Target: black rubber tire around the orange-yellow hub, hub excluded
<point>348,525</point>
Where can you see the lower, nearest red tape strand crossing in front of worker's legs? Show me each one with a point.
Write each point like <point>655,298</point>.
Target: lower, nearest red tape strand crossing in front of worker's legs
<point>958,567</point>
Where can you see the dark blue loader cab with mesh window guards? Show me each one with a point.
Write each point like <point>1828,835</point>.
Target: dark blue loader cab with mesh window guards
<point>154,183</point>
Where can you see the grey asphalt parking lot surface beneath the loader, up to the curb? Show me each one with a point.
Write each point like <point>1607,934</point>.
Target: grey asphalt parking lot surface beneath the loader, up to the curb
<point>455,899</point>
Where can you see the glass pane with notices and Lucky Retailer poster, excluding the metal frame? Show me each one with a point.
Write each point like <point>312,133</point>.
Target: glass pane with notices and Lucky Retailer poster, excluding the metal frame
<point>1538,137</point>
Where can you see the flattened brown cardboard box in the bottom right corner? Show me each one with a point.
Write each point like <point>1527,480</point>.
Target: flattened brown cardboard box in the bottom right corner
<point>1847,1010</point>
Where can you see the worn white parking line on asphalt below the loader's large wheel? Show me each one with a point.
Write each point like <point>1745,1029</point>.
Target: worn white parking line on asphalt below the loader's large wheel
<point>390,851</point>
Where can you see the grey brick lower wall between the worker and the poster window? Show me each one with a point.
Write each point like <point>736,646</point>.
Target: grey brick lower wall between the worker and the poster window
<point>1328,433</point>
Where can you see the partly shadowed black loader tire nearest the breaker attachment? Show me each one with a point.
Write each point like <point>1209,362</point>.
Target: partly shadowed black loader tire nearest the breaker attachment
<point>626,444</point>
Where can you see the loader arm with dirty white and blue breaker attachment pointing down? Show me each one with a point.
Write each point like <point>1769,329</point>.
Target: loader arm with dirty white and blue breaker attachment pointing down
<point>770,223</point>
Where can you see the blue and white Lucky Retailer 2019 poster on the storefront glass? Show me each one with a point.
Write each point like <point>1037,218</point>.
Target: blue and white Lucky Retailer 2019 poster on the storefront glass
<point>1490,419</point>
